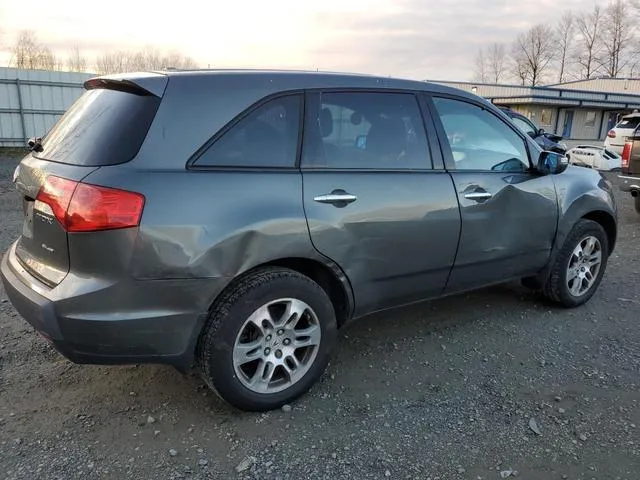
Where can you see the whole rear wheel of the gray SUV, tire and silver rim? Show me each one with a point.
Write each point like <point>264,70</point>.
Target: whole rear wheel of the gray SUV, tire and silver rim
<point>268,339</point>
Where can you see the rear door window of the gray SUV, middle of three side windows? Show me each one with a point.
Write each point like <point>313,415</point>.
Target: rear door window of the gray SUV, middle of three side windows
<point>365,130</point>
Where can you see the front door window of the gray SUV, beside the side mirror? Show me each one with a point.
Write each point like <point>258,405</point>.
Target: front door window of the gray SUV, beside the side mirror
<point>479,140</point>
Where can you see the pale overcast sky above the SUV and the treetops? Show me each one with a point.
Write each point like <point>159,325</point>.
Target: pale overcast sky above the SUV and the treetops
<point>418,39</point>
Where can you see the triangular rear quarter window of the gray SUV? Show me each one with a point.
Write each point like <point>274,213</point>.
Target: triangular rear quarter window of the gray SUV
<point>266,137</point>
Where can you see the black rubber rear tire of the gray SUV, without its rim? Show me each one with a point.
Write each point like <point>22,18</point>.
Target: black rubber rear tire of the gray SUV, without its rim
<point>214,355</point>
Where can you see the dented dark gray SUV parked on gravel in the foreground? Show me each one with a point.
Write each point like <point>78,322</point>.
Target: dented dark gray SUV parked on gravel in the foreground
<point>233,221</point>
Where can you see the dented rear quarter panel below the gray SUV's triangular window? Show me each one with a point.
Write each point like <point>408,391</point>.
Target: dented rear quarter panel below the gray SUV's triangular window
<point>213,224</point>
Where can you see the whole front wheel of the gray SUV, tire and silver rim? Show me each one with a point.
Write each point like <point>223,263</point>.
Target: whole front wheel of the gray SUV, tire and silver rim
<point>579,265</point>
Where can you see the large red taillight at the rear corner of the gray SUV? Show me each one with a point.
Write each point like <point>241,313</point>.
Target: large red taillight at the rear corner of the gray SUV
<point>80,207</point>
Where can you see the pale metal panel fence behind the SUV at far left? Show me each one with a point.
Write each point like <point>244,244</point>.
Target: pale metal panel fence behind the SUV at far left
<point>31,101</point>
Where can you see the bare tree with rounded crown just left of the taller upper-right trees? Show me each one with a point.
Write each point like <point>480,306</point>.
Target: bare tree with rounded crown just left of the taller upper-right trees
<point>533,53</point>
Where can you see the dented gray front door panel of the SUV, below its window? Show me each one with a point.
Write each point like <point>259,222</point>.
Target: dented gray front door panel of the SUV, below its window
<point>510,232</point>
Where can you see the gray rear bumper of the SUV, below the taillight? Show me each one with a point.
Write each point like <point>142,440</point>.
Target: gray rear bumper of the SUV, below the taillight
<point>140,322</point>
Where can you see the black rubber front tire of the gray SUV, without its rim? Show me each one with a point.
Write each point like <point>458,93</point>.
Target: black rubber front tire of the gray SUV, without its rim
<point>556,288</point>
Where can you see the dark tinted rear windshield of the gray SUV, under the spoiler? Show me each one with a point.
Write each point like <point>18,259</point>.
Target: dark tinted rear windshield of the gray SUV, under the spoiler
<point>103,127</point>
